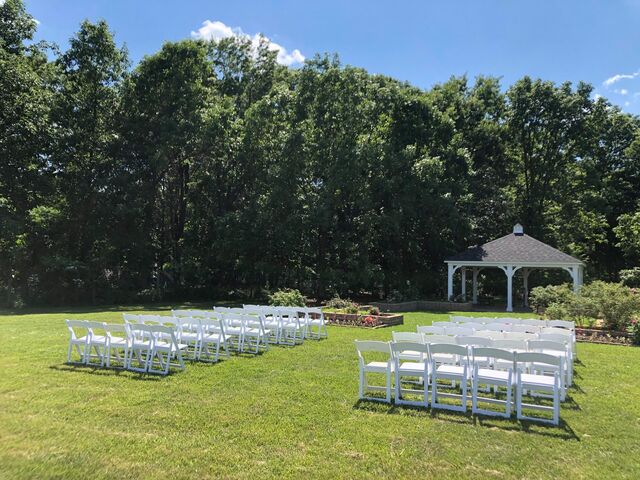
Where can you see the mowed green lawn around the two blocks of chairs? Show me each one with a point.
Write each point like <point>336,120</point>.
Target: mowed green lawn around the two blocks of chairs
<point>292,412</point>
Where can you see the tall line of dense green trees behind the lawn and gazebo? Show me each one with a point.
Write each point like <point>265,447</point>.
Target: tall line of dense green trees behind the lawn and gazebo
<point>208,168</point>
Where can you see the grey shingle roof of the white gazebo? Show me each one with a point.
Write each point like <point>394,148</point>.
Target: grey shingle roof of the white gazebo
<point>514,248</point>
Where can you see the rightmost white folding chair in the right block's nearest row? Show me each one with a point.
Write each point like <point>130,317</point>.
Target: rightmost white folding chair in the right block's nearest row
<point>538,383</point>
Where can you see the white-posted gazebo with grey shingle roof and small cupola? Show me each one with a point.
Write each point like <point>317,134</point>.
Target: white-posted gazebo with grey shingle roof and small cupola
<point>511,253</point>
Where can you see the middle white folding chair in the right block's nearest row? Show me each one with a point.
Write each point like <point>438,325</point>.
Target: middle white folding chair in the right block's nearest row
<point>456,369</point>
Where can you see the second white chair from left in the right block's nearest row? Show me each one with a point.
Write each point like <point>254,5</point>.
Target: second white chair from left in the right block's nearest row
<point>419,369</point>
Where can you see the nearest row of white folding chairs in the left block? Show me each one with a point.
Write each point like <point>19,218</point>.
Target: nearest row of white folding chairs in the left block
<point>137,347</point>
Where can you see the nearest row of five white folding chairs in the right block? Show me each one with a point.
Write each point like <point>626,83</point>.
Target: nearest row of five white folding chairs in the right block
<point>537,374</point>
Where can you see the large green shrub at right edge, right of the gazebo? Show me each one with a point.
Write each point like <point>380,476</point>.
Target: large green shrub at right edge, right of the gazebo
<point>613,302</point>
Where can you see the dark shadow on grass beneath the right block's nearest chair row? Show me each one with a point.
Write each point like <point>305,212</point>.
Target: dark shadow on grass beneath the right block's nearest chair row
<point>563,431</point>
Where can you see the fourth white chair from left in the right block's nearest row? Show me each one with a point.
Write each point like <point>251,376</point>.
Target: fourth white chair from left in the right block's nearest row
<point>483,374</point>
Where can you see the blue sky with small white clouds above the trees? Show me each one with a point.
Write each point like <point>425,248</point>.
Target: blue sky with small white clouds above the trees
<point>423,42</point>
